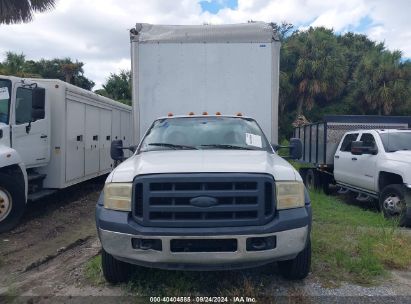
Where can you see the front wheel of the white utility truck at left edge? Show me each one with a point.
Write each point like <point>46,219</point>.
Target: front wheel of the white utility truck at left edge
<point>12,202</point>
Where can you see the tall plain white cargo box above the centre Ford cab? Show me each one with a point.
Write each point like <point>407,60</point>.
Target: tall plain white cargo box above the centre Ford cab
<point>182,69</point>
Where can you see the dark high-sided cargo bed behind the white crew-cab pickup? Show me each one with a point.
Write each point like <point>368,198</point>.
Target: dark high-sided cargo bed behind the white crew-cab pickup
<point>320,140</point>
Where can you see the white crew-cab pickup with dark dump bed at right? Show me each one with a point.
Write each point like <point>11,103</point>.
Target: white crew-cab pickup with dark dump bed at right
<point>366,155</point>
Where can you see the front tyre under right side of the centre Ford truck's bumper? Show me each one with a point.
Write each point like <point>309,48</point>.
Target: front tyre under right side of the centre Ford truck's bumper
<point>299,267</point>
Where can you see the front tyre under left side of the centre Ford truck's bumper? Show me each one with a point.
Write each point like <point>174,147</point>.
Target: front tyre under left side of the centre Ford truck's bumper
<point>114,271</point>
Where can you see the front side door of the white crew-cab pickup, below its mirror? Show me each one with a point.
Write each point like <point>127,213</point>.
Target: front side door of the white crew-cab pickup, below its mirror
<point>366,163</point>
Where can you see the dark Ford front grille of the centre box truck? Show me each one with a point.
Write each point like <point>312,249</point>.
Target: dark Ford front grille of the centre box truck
<point>203,199</point>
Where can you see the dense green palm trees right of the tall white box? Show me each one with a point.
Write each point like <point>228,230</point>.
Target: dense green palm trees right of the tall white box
<point>326,73</point>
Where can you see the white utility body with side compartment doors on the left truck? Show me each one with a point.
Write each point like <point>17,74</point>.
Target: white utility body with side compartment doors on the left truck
<point>83,124</point>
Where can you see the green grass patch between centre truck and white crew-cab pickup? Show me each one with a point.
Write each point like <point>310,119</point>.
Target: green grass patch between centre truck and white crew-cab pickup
<point>355,245</point>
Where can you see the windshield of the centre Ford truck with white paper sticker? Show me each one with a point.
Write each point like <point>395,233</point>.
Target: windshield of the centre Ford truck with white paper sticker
<point>228,133</point>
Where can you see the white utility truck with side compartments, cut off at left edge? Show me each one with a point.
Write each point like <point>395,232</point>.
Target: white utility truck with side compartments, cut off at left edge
<point>52,135</point>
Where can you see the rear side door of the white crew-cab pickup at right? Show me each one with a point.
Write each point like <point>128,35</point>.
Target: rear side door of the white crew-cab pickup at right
<point>345,162</point>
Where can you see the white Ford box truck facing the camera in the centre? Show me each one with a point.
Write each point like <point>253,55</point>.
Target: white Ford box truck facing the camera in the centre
<point>204,189</point>
